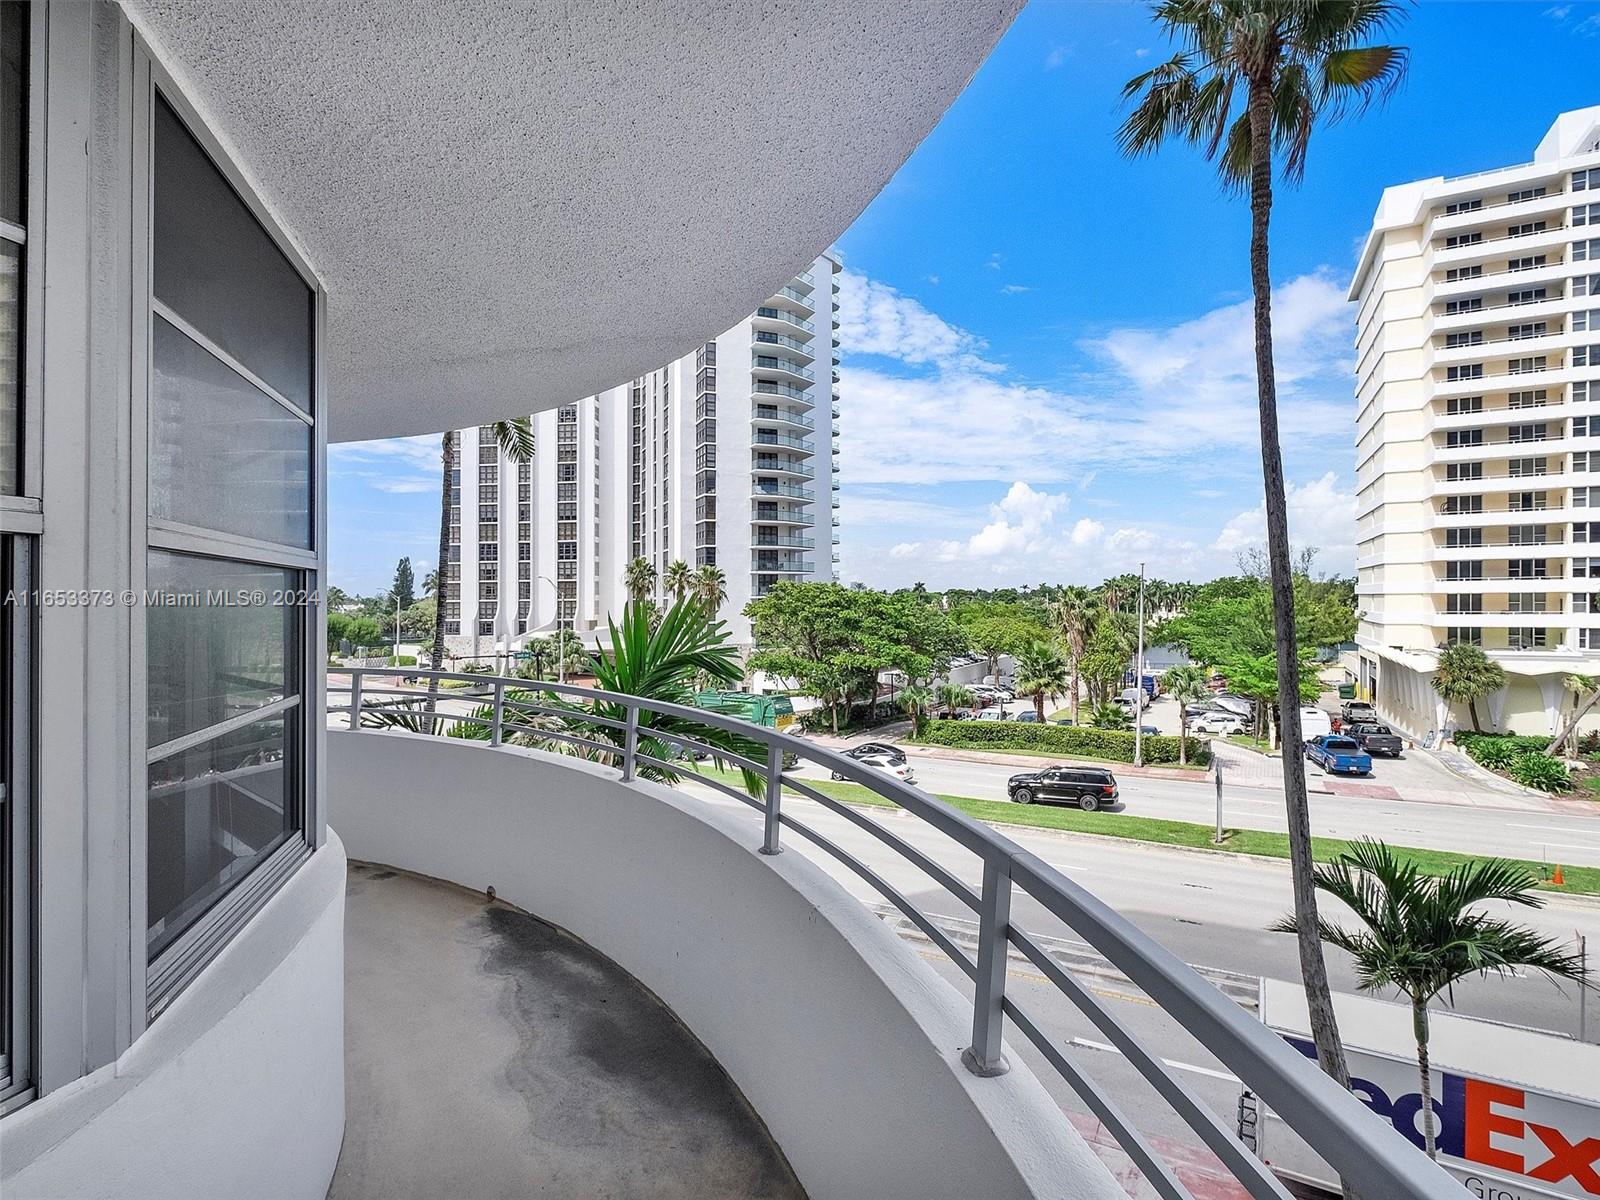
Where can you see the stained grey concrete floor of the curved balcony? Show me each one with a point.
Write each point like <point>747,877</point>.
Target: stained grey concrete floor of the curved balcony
<point>492,1057</point>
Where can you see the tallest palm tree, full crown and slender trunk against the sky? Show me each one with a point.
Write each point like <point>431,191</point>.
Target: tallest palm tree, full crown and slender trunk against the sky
<point>1295,63</point>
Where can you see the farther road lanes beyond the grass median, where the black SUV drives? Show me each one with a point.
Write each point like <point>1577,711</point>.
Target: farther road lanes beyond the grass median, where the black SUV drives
<point>1473,830</point>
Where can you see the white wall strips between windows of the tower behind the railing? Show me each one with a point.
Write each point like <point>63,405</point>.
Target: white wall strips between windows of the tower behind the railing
<point>670,479</point>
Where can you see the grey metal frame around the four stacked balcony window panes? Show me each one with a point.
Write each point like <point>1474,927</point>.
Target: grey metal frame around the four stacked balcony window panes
<point>161,978</point>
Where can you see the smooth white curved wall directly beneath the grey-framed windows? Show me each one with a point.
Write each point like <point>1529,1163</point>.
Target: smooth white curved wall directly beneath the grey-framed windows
<point>238,1090</point>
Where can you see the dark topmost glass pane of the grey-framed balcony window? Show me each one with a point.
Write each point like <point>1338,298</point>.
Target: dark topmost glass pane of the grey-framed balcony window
<point>220,271</point>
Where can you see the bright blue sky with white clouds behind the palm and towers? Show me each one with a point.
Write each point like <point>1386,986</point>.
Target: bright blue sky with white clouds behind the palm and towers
<point>1047,346</point>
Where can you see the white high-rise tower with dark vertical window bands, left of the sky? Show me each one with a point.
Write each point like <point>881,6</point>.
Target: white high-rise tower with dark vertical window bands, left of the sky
<point>727,457</point>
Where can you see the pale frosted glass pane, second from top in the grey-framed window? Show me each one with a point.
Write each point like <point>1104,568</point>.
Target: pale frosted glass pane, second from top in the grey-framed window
<point>223,454</point>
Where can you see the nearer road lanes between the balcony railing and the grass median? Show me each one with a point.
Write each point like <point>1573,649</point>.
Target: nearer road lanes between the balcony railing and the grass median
<point>1210,910</point>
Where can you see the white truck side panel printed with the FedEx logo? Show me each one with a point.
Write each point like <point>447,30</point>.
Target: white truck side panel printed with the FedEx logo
<point>1540,1143</point>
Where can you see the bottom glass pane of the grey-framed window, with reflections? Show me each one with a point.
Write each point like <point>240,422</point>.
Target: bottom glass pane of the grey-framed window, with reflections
<point>215,814</point>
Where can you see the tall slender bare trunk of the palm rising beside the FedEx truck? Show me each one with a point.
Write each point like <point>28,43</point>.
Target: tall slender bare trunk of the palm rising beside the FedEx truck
<point>1314,969</point>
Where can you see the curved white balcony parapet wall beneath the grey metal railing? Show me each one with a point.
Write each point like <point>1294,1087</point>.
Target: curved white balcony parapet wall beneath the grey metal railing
<point>844,1042</point>
